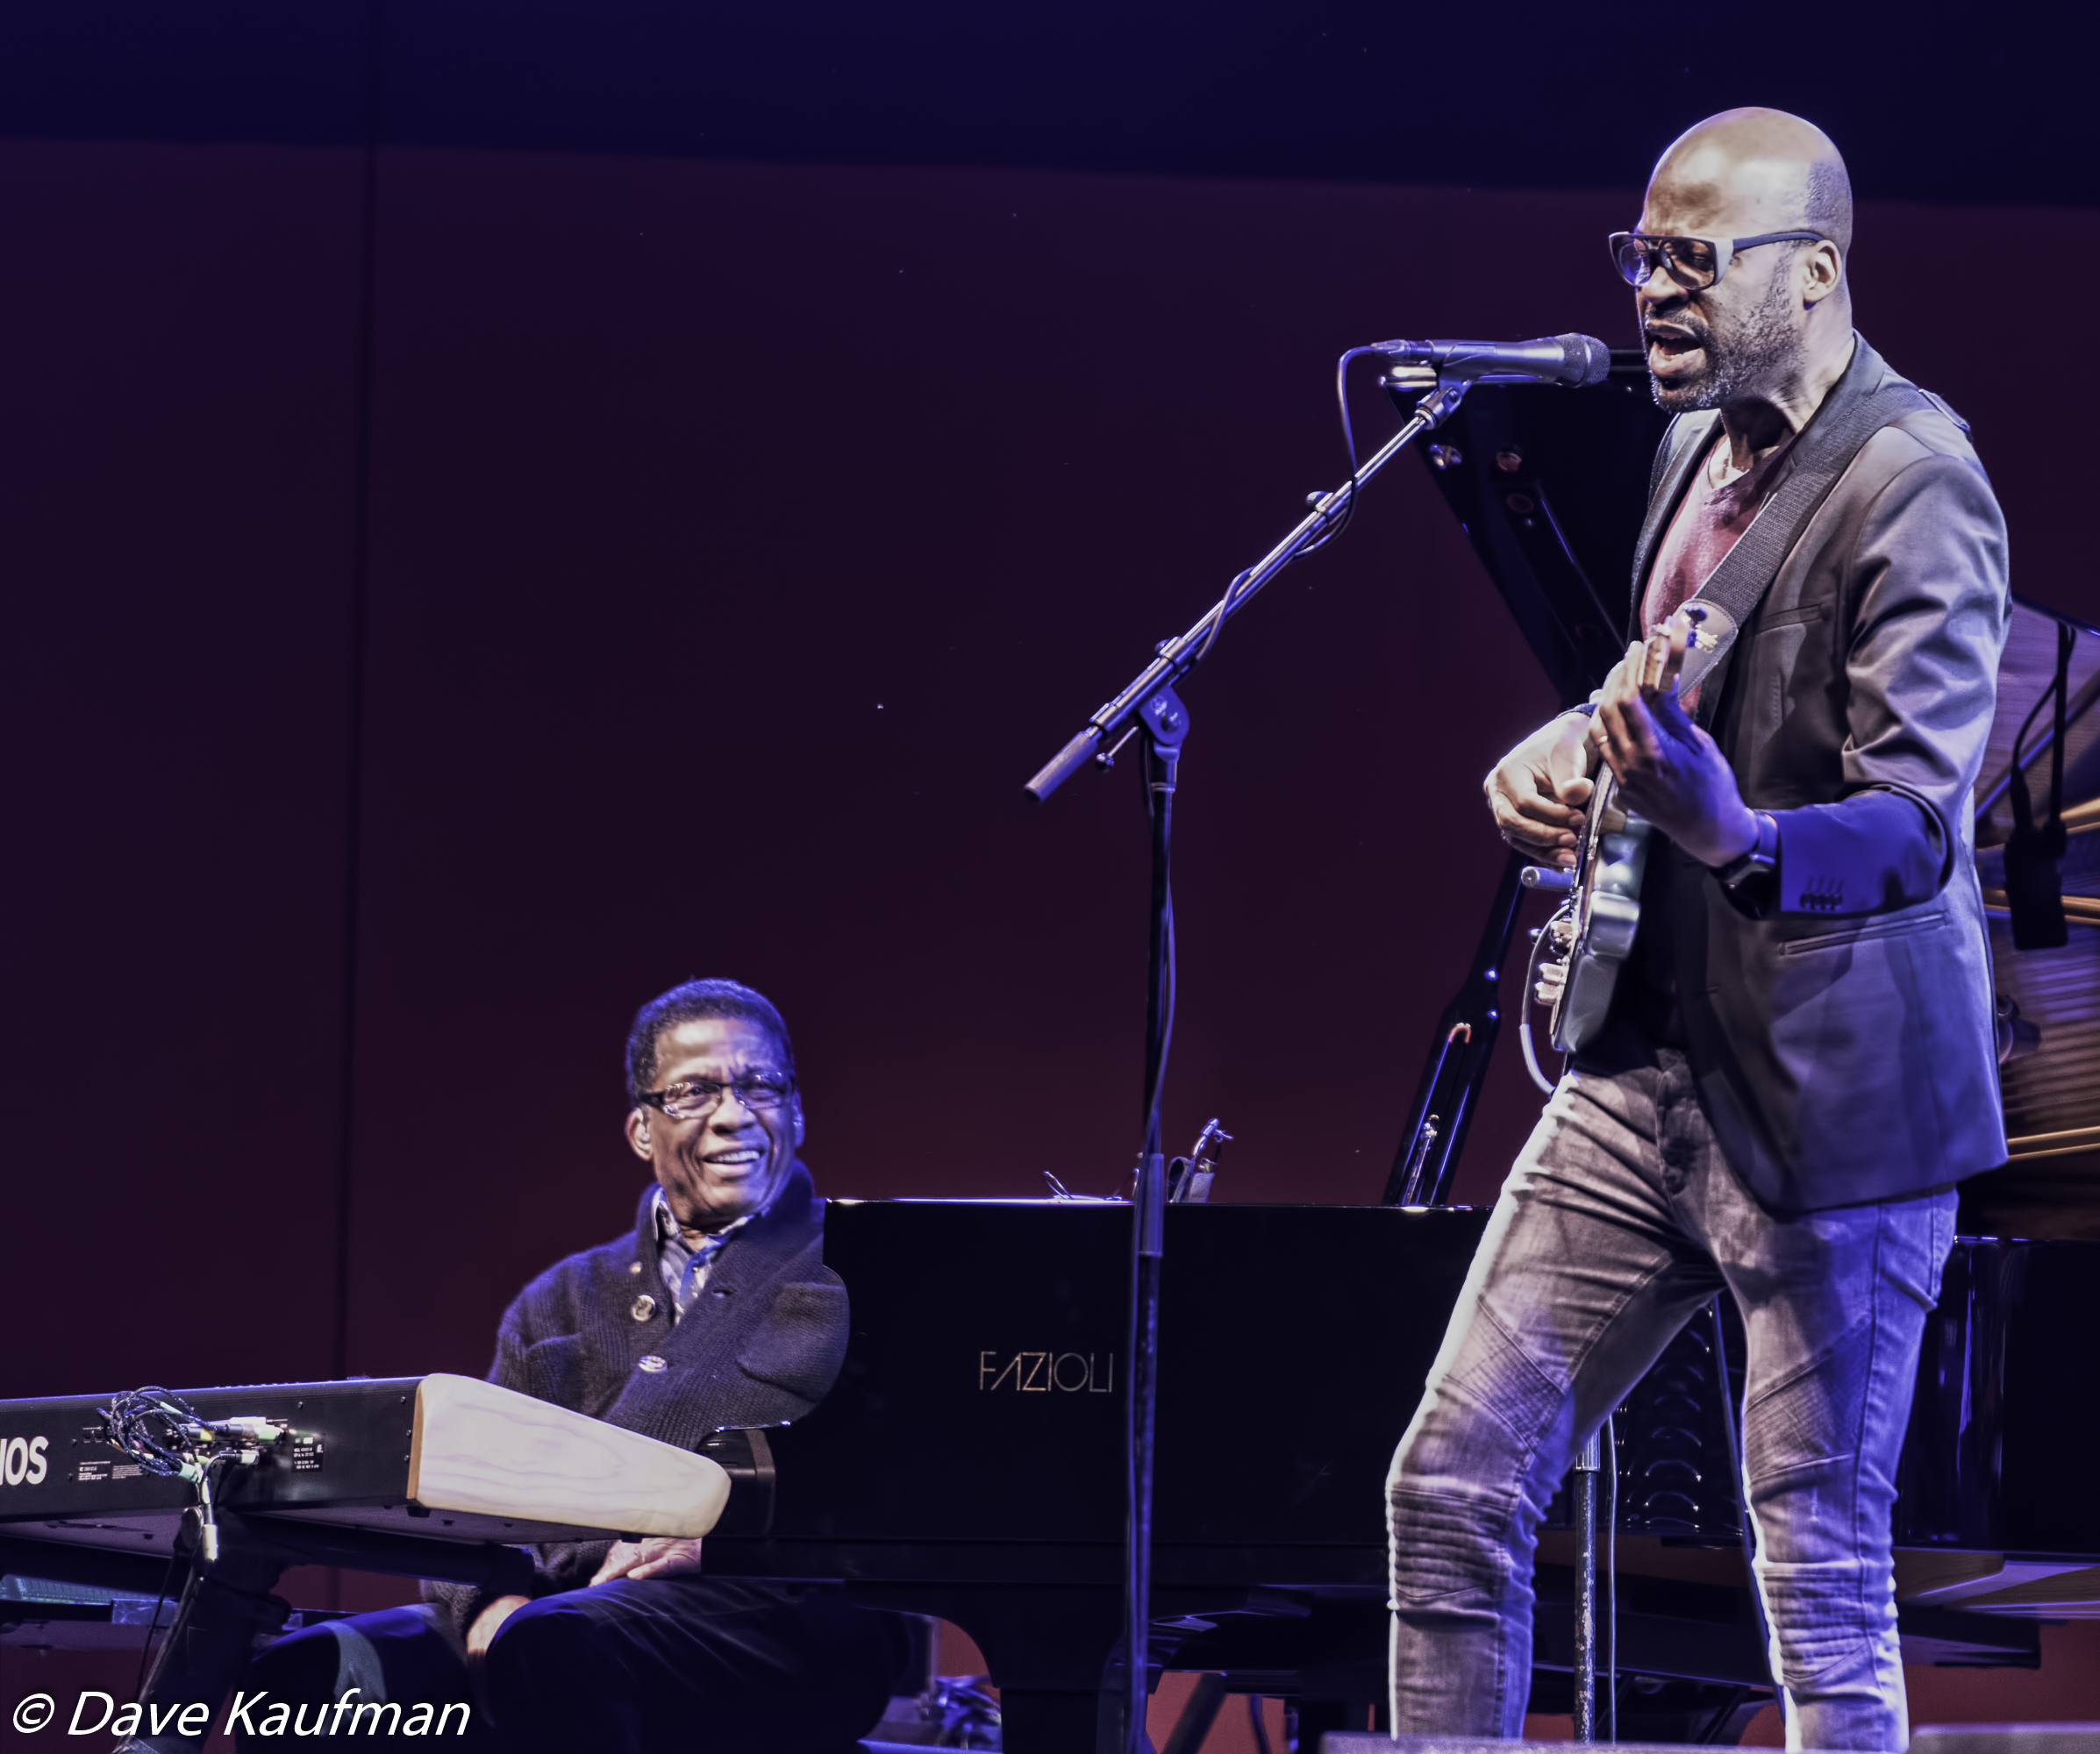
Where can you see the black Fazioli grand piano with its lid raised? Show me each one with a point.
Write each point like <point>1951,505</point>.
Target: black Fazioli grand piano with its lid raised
<point>971,1461</point>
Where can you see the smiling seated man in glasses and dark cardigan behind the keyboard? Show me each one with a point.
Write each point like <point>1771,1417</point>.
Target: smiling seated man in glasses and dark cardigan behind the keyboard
<point>713,1312</point>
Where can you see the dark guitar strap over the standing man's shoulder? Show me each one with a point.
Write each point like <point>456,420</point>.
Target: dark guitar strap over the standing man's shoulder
<point>1866,400</point>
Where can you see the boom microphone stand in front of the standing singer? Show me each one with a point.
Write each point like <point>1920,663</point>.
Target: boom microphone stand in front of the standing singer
<point>1154,709</point>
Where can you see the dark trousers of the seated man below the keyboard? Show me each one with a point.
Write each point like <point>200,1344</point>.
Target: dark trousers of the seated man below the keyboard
<point>686,1665</point>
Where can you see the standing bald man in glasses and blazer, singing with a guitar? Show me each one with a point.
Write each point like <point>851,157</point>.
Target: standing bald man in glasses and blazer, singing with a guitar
<point>1801,1058</point>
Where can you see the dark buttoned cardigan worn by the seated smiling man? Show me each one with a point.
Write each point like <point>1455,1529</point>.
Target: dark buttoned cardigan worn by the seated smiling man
<point>759,1345</point>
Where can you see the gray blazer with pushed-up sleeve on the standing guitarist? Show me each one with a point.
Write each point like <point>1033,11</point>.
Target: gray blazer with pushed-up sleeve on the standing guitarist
<point>1845,1043</point>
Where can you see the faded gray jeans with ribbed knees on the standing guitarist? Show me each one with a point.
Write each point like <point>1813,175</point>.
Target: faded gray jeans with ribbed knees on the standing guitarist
<point>1616,1226</point>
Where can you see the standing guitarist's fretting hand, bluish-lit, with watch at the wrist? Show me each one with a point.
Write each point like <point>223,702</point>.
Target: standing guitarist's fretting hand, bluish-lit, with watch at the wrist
<point>1671,772</point>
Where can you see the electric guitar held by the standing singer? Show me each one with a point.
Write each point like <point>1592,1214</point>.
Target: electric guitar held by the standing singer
<point>1593,932</point>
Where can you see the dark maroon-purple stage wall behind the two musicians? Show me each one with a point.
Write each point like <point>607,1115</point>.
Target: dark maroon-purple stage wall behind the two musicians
<point>740,539</point>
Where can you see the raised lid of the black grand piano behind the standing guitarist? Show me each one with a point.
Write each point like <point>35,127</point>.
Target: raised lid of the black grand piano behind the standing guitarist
<point>1551,488</point>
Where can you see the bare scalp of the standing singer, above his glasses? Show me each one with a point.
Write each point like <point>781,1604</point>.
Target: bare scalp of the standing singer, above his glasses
<point>1752,171</point>
